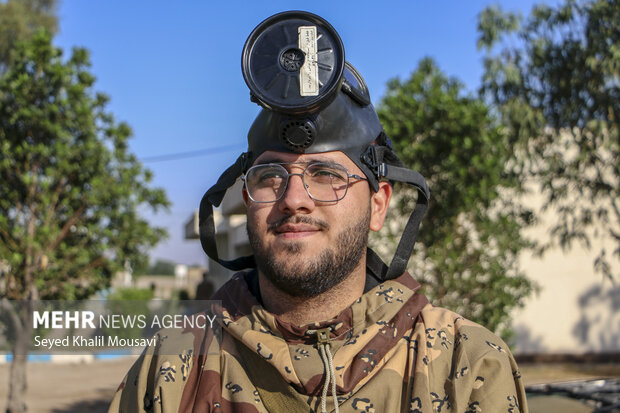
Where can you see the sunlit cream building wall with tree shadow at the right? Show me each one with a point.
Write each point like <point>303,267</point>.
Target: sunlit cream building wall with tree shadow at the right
<point>576,310</point>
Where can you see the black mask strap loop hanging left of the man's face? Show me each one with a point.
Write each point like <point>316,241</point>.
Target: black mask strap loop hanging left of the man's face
<point>213,197</point>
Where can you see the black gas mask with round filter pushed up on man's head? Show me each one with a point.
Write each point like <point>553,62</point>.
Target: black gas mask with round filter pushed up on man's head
<point>313,101</point>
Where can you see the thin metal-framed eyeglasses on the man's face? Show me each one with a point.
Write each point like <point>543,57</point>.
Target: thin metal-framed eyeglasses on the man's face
<point>324,182</point>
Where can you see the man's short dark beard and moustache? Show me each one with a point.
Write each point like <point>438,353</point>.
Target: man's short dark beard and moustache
<point>311,276</point>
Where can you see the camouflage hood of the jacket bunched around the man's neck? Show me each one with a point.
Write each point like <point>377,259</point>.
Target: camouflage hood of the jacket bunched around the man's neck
<point>361,335</point>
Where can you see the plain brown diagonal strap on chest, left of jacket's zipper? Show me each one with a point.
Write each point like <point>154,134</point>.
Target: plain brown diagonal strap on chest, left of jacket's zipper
<point>275,392</point>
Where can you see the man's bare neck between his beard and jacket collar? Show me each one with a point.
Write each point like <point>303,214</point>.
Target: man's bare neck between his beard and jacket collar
<point>302,310</point>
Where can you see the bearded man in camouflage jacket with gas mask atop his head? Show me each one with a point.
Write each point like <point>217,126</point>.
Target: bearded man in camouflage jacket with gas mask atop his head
<point>318,323</point>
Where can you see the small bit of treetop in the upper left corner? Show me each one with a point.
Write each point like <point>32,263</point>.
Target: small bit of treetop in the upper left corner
<point>19,20</point>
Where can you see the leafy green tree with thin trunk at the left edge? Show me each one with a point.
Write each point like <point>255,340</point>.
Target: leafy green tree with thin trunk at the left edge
<point>70,190</point>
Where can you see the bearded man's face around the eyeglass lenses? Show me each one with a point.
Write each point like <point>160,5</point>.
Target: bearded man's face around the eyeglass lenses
<point>306,247</point>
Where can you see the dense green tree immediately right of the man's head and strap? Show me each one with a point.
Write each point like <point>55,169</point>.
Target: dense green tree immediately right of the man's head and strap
<point>466,254</point>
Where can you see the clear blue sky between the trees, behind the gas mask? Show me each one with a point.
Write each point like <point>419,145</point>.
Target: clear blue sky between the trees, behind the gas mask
<point>173,72</point>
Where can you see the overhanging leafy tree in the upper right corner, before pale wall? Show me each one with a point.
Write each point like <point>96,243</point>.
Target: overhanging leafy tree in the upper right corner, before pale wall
<point>554,77</point>
